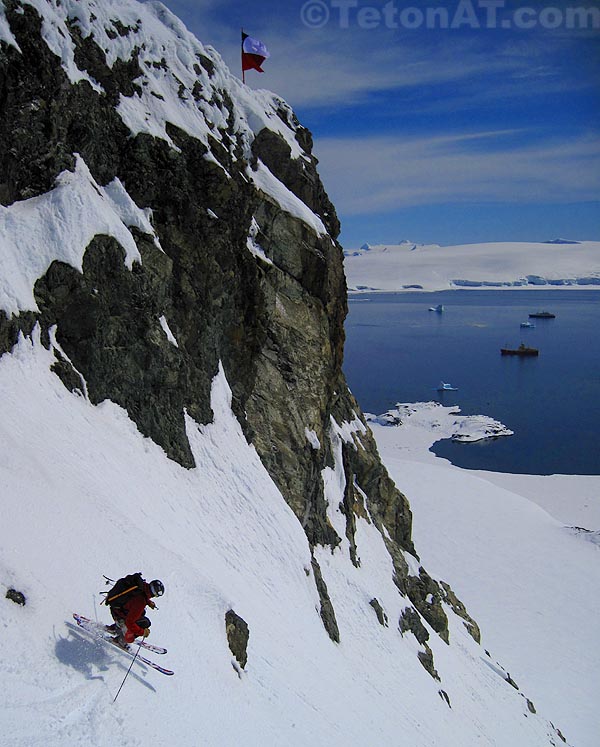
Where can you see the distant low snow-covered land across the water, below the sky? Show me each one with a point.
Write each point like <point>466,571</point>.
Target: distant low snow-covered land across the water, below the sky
<point>408,266</point>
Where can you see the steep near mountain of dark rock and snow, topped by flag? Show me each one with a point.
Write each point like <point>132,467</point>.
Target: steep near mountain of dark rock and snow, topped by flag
<point>172,300</point>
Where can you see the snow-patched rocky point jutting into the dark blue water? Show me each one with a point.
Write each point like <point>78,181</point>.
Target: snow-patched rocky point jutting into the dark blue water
<point>433,422</point>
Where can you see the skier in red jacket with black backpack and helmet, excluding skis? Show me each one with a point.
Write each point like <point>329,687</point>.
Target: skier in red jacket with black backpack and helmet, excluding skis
<point>127,601</point>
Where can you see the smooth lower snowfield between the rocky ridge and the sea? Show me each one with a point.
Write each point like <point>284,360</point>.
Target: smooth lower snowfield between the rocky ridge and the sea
<point>526,576</point>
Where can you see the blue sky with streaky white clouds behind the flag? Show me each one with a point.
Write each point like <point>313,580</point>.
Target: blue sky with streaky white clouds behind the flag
<point>439,121</point>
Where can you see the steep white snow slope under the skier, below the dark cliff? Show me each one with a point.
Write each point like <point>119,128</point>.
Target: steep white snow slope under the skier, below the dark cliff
<point>83,493</point>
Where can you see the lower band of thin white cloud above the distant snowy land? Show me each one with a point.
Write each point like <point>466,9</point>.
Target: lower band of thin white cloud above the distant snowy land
<point>375,174</point>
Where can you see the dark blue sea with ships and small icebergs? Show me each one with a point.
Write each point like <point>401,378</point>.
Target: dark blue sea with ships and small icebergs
<point>399,351</point>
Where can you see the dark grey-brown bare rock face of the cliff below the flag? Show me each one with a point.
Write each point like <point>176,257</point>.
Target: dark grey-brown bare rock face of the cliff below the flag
<point>239,279</point>
